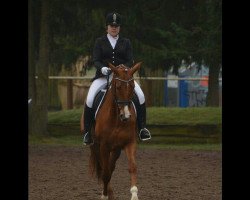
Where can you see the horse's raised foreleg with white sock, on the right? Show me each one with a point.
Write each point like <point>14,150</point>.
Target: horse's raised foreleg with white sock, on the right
<point>130,152</point>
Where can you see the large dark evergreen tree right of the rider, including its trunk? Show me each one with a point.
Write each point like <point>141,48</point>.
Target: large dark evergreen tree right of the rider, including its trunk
<point>166,33</point>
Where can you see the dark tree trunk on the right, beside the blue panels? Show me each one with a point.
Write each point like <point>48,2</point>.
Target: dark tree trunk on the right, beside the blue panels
<point>213,86</point>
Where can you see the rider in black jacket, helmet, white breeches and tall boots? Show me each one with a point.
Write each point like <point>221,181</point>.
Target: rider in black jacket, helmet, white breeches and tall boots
<point>117,50</point>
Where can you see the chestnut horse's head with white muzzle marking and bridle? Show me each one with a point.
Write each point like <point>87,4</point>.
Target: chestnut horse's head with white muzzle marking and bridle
<point>123,88</point>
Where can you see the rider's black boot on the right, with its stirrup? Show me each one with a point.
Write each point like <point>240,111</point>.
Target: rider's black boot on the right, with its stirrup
<point>144,133</point>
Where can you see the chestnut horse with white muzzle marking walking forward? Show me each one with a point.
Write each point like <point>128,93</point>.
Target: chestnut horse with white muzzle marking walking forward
<point>115,130</point>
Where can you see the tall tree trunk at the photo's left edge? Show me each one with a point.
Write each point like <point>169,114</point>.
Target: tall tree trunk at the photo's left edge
<point>40,108</point>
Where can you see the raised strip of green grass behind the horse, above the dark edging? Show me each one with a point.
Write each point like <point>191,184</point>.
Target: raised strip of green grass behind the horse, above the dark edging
<point>155,116</point>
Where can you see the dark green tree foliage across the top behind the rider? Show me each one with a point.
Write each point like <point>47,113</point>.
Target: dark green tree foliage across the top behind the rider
<point>163,33</point>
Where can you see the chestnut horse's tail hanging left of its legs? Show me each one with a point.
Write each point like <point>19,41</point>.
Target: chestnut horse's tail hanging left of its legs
<point>94,161</point>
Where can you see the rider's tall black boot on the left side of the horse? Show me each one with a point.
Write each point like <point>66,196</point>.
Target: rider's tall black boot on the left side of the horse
<point>88,119</point>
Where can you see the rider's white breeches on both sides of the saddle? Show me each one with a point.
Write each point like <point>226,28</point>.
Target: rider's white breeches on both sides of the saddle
<point>100,84</point>
